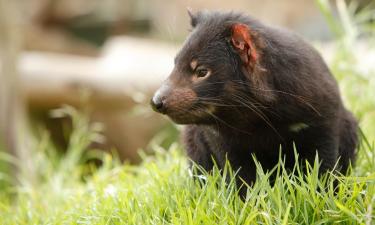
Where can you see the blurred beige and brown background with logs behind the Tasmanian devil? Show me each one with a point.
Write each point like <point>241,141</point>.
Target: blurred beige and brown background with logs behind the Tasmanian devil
<point>107,57</point>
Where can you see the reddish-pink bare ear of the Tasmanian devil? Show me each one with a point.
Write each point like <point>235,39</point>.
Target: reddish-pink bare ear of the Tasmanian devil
<point>243,43</point>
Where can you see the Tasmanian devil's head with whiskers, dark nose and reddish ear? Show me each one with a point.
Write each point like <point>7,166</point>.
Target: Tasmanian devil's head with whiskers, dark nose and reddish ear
<point>217,72</point>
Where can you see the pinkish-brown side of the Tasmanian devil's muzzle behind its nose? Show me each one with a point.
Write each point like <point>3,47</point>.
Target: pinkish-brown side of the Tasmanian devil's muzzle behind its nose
<point>180,100</point>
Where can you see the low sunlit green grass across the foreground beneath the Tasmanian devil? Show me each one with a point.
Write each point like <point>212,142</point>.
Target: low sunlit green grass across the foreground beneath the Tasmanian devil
<point>162,190</point>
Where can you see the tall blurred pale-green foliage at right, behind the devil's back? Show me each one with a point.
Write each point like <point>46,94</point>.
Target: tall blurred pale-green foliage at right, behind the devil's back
<point>355,32</point>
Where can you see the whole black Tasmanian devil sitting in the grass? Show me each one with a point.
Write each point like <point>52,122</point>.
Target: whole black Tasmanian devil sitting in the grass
<point>246,89</point>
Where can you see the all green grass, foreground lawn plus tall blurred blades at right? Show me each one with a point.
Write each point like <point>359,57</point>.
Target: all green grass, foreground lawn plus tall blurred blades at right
<point>70,189</point>
